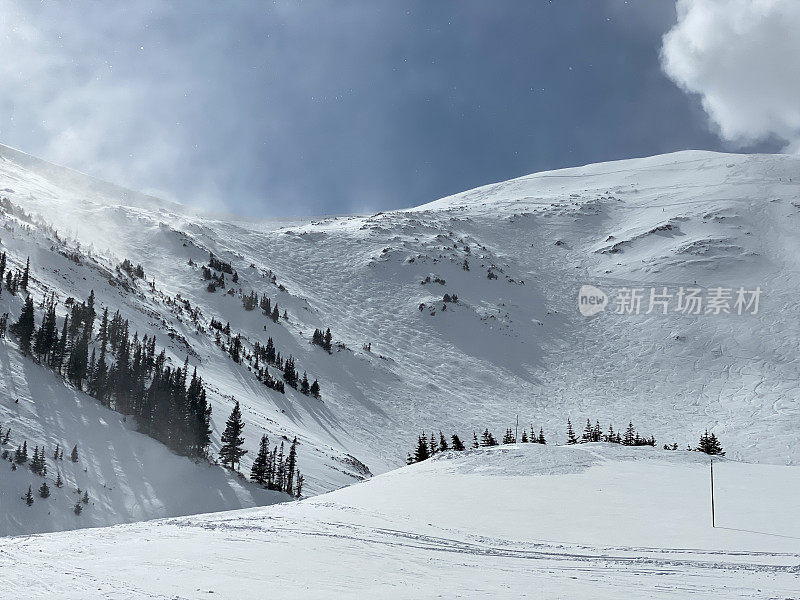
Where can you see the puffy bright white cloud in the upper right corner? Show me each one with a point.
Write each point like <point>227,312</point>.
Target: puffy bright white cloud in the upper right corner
<point>743,58</point>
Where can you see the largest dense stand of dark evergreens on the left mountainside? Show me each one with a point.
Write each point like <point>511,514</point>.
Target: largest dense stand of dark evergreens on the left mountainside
<point>124,373</point>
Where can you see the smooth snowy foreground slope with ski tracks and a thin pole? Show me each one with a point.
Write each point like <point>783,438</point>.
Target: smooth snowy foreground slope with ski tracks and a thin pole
<point>589,521</point>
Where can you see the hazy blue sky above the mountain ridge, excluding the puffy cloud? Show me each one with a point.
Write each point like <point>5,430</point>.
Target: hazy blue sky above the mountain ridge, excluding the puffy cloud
<point>323,107</point>
